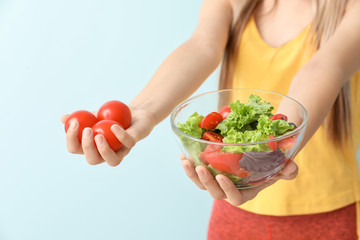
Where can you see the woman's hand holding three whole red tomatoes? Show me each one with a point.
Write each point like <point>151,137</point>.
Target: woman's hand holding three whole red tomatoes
<point>98,151</point>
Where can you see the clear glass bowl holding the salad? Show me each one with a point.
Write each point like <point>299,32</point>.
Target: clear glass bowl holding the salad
<point>247,164</point>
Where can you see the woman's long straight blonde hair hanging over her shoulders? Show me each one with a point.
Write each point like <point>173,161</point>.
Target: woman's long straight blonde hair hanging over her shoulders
<point>328,15</point>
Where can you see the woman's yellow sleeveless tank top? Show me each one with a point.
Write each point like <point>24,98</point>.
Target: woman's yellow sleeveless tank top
<point>328,177</point>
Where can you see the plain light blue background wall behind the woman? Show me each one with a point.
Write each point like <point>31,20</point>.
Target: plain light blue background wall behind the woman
<point>60,56</point>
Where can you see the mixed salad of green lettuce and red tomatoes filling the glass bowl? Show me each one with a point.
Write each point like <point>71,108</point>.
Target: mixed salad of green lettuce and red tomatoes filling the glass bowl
<point>238,123</point>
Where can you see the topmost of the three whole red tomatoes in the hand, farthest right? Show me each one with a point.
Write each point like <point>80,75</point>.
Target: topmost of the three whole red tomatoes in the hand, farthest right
<point>116,111</point>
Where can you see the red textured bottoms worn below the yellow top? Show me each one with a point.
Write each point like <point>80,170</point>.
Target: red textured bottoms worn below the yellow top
<point>229,222</point>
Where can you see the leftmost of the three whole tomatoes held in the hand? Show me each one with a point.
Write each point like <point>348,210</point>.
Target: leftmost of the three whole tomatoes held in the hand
<point>85,119</point>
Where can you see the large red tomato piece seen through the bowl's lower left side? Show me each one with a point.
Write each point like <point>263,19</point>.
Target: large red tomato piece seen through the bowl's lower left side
<point>225,162</point>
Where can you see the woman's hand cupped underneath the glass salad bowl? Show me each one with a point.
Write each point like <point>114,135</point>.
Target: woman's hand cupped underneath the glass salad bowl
<point>222,187</point>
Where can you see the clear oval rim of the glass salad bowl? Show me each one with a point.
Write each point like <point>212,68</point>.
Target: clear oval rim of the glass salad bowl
<point>287,135</point>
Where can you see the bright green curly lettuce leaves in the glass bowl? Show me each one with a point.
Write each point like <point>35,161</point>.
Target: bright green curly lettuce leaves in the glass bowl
<point>247,123</point>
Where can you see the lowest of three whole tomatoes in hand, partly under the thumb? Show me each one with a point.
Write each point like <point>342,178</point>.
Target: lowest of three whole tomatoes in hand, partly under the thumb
<point>103,128</point>
